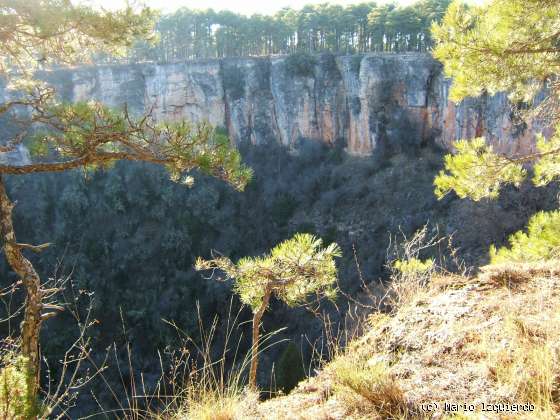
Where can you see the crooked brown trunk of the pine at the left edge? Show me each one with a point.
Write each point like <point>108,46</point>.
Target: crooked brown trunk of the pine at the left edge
<point>32,316</point>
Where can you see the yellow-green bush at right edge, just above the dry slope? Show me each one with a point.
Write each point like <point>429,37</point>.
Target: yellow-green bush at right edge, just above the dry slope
<point>541,242</point>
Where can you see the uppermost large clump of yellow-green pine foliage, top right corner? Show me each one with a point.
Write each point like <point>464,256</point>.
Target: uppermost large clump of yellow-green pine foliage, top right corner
<point>505,45</point>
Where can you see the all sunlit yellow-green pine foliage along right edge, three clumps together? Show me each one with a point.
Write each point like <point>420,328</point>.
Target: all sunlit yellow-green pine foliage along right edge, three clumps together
<point>513,46</point>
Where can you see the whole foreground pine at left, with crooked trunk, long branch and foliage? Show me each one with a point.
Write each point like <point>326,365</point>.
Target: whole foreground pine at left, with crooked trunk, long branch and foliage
<point>61,137</point>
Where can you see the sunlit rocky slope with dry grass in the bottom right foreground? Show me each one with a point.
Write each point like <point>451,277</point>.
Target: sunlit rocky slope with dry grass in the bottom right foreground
<point>481,348</point>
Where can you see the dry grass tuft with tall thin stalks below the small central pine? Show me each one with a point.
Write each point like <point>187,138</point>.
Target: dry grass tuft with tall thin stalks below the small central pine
<point>198,384</point>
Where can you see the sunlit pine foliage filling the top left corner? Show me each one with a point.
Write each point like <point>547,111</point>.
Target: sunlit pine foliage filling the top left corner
<point>41,32</point>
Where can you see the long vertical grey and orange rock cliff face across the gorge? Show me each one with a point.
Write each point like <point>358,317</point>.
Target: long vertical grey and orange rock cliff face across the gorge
<point>365,103</point>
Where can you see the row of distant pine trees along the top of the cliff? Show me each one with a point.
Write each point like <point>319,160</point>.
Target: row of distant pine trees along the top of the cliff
<point>362,27</point>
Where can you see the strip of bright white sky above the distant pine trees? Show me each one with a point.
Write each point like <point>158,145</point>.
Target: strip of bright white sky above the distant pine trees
<point>244,7</point>
